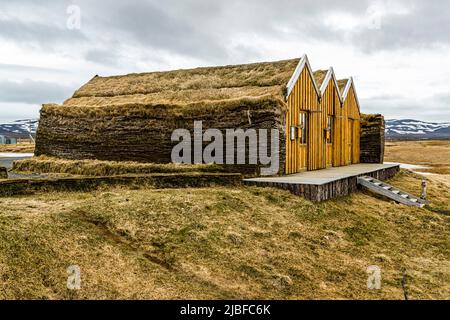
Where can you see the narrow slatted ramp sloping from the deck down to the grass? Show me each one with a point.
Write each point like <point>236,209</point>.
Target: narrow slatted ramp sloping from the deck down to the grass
<point>391,192</point>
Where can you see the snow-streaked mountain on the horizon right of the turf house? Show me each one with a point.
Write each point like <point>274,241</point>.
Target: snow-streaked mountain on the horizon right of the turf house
<point>415,129</point>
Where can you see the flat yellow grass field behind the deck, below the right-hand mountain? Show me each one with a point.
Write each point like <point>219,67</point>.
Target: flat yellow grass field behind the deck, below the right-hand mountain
<point>430,153</point>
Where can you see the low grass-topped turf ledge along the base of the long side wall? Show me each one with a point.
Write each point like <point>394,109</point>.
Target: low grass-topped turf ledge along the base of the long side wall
<point>45,164</point>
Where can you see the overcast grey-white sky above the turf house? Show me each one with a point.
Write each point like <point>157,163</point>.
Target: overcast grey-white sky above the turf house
<point>397,51</point>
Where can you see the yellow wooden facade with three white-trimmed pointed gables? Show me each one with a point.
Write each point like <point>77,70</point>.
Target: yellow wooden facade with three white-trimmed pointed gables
<point>329,118</point>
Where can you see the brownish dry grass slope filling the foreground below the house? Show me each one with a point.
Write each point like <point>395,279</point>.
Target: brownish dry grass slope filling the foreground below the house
<point>223,243</point>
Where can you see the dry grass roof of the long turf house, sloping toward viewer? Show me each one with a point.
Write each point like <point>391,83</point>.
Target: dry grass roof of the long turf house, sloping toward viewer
<point>188,86</point>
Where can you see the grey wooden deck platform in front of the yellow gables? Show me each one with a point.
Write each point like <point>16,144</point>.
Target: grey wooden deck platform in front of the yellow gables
<point>328,183</point>
